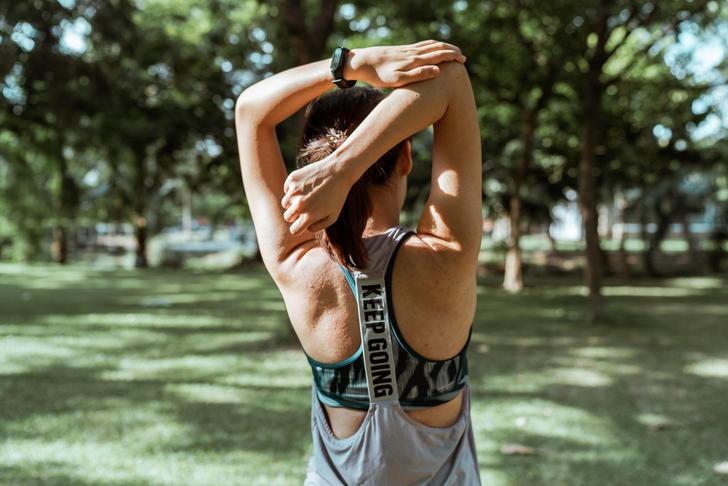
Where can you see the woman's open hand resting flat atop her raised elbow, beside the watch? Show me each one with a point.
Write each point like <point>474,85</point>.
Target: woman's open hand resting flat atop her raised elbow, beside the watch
<point>394,66</point>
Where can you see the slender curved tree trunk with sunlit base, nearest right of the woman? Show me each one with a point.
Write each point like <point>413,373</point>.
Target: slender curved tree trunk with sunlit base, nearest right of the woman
<point>513,279</point>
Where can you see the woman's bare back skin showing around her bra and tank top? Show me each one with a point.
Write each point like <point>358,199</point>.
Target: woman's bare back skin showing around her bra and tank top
<point>434,304</point>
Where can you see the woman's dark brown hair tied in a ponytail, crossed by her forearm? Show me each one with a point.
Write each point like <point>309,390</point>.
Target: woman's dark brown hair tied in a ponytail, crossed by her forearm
<point>329,120</point>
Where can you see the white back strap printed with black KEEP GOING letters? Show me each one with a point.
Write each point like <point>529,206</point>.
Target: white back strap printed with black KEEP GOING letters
<point>376,337</point>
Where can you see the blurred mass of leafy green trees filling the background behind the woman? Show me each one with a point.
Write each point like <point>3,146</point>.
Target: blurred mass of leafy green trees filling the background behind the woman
<point>122,112</point>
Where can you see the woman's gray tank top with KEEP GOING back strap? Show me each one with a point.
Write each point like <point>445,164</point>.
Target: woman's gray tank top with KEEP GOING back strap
<point>389,448</point>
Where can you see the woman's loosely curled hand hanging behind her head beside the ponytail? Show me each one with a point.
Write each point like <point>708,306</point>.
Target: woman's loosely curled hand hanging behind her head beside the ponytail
<point>315,194</point>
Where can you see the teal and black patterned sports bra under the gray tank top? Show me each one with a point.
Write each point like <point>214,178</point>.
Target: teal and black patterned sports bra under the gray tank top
<point>417,382</point>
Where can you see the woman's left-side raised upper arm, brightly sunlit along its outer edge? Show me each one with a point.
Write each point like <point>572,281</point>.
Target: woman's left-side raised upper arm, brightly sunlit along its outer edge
<point>264,173</point>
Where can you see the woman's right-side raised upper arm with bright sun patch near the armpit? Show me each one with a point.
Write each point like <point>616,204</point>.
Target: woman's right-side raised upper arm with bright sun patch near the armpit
<point>452,214</point>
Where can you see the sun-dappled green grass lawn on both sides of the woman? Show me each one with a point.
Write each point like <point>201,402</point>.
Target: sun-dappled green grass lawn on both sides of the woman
<point>188,378</point>
